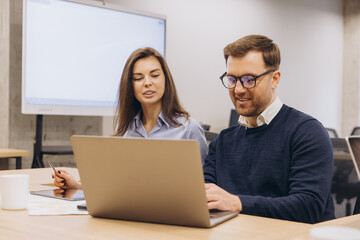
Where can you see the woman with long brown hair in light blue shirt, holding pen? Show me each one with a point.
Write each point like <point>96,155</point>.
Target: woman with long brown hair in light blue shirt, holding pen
<point>148,107</point>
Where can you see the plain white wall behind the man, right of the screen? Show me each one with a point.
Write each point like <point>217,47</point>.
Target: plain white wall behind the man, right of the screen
<point>309,34</point>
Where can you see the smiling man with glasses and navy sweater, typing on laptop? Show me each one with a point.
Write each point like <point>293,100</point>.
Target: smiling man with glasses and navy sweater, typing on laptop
<point>278,162</point>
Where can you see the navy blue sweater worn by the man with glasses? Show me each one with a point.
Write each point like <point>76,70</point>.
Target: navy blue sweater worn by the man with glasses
<point>282,170</point>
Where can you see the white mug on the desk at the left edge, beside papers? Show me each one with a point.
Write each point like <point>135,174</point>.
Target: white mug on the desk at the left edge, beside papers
<point>14,191</point>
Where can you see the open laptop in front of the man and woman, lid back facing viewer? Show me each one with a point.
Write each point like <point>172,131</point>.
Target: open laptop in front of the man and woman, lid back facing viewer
<point>147,180</point>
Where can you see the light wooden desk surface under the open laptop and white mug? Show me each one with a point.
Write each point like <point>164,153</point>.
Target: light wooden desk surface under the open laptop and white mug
<point>19,225</point>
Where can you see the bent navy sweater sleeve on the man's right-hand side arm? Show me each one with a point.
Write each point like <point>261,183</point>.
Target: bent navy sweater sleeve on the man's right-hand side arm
<point>309,181</point>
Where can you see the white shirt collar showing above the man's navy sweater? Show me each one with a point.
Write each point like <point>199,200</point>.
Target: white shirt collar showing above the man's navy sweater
<point>266,116</point>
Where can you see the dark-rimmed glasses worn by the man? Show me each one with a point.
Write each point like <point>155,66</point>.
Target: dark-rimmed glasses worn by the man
<point>248,81</point>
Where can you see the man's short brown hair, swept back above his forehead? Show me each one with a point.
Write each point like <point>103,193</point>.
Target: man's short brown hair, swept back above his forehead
<point>270,51</point>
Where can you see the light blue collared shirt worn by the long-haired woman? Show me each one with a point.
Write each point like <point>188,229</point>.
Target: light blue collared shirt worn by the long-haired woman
<point>190,129</point>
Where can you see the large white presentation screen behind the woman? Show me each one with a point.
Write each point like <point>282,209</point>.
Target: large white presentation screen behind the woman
<point>74,53</point>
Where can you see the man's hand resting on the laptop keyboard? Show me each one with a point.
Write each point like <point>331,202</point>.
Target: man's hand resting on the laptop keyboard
<point>220,199</point>
